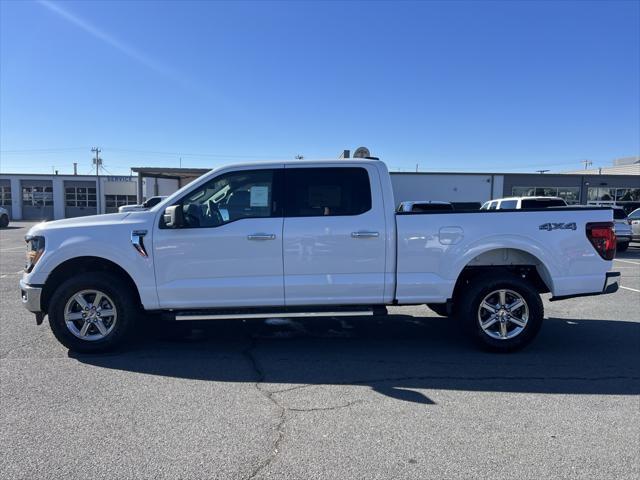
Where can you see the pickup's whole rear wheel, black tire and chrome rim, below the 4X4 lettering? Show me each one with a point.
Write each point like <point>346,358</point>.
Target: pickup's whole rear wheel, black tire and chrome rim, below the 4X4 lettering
<point>503,312</point>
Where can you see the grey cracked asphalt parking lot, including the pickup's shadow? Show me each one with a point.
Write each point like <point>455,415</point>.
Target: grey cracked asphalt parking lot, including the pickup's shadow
<point>403,396</point>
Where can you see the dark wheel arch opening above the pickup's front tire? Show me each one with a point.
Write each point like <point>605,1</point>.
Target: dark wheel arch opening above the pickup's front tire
<point>84,264</point>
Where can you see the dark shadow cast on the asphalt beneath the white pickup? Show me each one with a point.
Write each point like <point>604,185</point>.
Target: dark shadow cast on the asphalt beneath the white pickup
<point>394,355</point>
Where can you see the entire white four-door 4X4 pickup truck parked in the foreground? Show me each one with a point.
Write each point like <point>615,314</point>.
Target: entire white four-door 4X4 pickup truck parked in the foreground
<point>301,239</point>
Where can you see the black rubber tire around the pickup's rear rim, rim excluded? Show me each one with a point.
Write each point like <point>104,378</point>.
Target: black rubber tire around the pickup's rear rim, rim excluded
<point>469,306</point>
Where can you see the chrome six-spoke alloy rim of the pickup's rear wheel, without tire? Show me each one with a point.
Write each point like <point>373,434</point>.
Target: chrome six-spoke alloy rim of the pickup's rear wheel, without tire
<point>503,314</point>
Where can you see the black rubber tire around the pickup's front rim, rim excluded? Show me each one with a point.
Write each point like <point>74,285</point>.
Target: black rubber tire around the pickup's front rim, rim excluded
<point>124,303</point>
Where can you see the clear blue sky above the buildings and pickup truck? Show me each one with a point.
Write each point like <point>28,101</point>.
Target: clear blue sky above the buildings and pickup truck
<point>501,86</point>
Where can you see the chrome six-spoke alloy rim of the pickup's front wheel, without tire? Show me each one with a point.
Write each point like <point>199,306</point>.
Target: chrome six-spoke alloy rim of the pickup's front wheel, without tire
<point>90,315</point>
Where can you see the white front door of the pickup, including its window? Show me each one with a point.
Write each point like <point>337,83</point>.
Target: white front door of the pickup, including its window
<point>229,251</point>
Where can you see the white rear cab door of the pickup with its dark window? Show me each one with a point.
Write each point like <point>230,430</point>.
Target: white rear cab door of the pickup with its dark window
<point>334,236</point>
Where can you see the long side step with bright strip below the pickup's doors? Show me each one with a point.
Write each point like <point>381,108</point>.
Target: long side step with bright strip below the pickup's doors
<point>282,312</point>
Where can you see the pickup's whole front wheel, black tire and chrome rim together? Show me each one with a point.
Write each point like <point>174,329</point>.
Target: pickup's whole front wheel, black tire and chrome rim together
<point>92,312</point>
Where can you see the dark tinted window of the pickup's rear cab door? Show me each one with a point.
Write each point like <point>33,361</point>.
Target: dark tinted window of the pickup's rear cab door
<point>315,192</point>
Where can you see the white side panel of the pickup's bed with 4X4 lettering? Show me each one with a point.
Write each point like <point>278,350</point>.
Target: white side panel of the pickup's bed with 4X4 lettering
<point>434,247</point>
